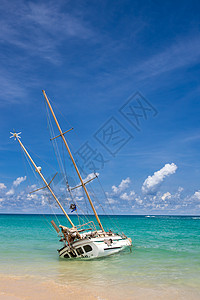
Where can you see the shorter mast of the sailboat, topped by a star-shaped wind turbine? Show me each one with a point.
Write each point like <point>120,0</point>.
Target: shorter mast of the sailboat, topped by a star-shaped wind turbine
<point>38,170</point>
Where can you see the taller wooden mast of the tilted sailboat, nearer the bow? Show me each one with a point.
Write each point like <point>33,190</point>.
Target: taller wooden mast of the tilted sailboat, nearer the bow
<point>73,161</point>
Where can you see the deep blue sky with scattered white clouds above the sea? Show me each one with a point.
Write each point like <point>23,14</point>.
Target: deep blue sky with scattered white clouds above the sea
<point>96,60</point>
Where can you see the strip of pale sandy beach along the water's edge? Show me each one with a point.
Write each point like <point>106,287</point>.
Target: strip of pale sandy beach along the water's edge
<point>31,287</point>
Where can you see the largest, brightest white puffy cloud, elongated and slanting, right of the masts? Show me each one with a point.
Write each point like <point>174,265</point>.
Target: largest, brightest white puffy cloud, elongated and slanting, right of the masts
<point>152,182</point>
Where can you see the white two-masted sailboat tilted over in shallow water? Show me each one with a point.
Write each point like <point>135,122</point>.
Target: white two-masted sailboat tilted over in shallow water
<point>85,240</point>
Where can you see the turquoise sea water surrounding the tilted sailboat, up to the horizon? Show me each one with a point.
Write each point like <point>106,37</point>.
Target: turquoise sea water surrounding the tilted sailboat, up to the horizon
<point>166,252</point>
